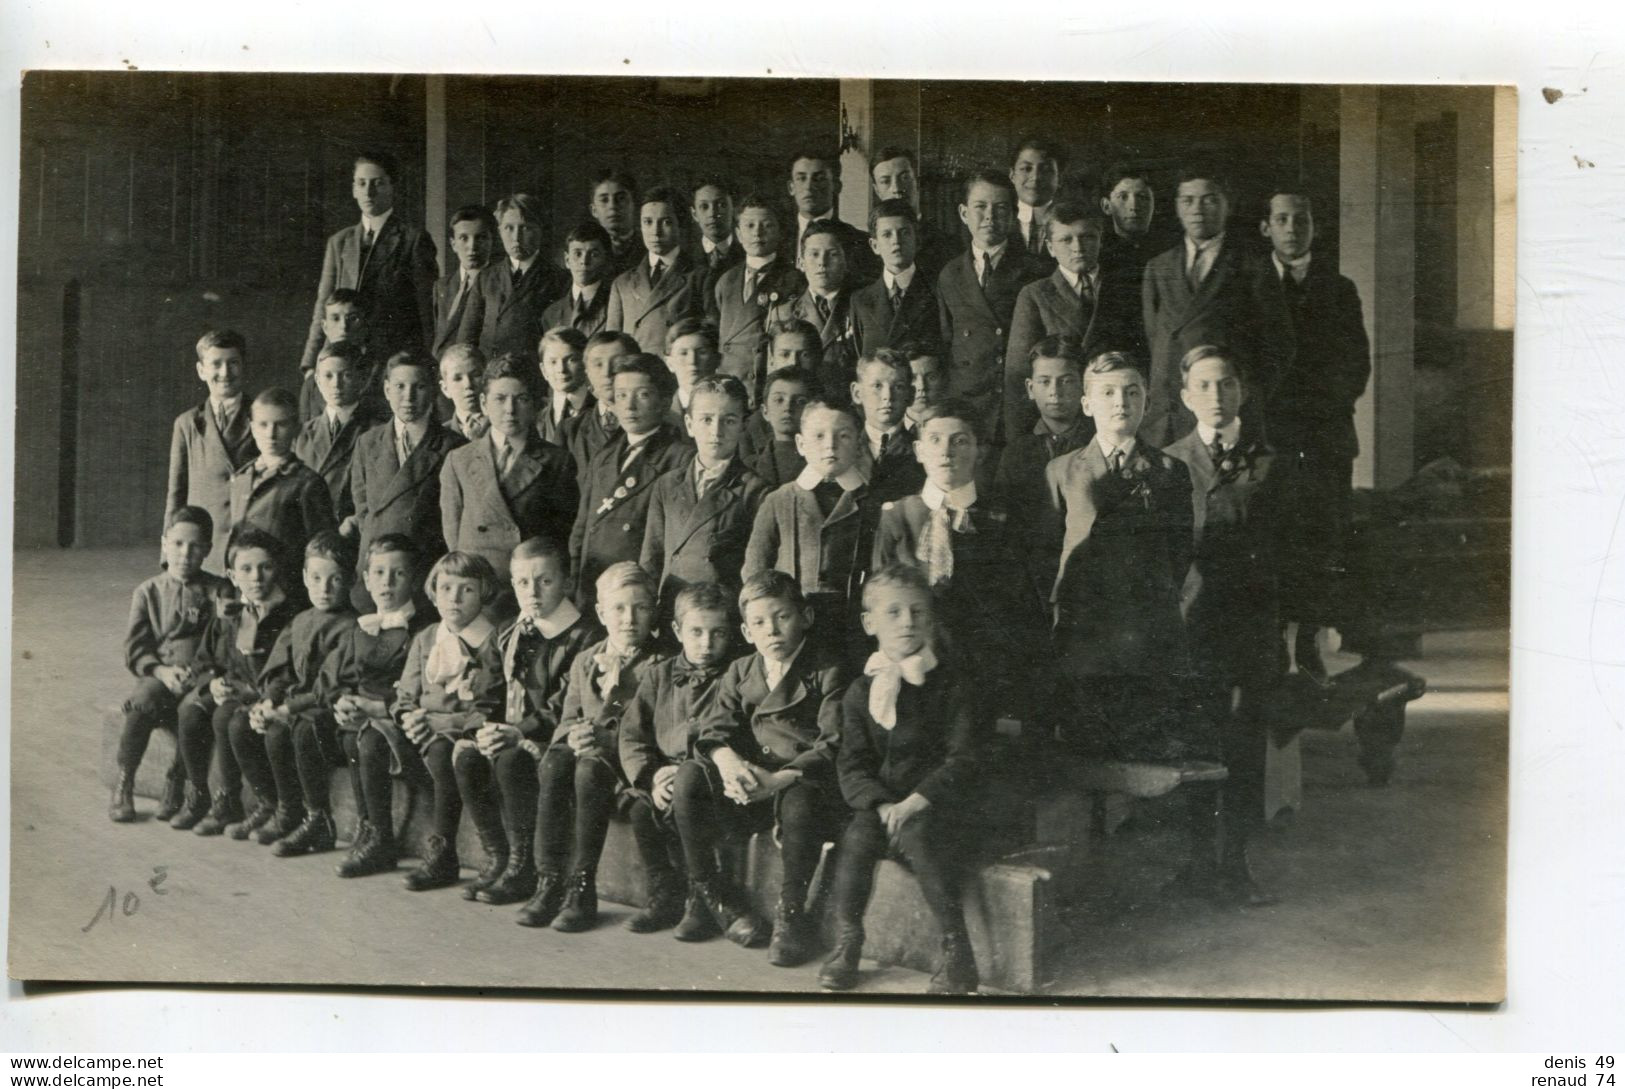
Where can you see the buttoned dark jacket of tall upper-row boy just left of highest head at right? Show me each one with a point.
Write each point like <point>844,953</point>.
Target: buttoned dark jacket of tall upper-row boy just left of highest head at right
<point>976,328</point>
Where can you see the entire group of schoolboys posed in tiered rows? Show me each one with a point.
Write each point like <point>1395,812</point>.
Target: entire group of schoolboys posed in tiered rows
<point>518,573</point>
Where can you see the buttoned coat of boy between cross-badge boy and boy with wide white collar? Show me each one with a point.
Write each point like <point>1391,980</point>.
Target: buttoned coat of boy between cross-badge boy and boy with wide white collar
<point>701,539</point>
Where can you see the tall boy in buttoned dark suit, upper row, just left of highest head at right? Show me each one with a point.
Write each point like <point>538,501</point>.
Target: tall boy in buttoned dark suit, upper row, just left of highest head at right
<point>976,298</point>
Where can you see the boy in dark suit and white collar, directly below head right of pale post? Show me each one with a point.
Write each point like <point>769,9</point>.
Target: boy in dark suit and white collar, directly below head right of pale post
<point>899,308</point>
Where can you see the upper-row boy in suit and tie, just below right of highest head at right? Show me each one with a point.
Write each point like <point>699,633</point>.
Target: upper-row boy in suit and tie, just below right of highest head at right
<point>1067,303</point>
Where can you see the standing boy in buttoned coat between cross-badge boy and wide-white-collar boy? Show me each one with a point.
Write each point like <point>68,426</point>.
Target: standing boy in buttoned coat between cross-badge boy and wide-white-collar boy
<point>701,514</point>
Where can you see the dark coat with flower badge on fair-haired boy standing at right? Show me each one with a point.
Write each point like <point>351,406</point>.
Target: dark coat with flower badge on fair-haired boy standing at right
<point>1125,545</point>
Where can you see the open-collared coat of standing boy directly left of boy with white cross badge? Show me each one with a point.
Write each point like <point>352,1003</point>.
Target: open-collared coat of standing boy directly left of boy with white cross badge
<point>488,513</point>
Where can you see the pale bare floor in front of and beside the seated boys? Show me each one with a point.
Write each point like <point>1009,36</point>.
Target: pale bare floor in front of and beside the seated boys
<point>1387,895</point>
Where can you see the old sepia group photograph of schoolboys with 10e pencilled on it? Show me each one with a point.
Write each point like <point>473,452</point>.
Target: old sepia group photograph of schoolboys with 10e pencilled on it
<point>714,536</point>
